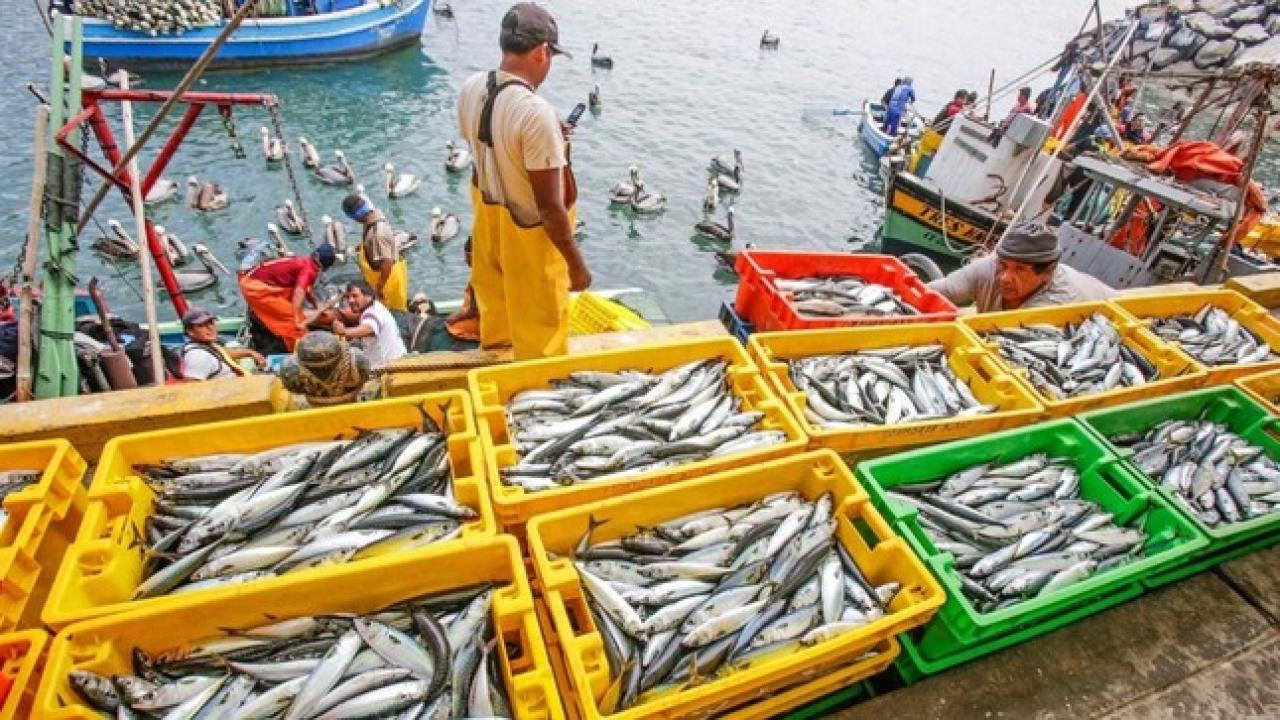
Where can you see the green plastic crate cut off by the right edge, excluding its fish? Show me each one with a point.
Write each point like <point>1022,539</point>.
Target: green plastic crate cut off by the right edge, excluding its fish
<point>1246,418</point>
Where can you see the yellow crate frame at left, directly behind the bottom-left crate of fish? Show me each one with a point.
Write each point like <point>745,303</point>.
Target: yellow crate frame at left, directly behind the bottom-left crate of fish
<point>104,567</point>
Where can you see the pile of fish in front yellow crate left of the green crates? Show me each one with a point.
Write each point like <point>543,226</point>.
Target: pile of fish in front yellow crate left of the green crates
<point>702,596</point>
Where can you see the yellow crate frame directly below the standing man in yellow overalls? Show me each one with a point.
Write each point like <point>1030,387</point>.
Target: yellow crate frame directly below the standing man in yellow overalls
<point>493,388</point>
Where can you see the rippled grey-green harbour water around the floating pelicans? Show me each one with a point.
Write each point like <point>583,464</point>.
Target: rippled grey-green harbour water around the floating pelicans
<point>689,83</point>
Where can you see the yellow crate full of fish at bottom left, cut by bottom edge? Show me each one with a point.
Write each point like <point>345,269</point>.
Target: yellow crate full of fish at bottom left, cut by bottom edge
<point>423,635</point>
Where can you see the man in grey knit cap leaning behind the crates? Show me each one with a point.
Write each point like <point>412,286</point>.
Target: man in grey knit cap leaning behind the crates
<point>1025,272</point>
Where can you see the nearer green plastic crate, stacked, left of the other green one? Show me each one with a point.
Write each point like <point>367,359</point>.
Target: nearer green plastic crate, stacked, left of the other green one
<point>1105,480</point>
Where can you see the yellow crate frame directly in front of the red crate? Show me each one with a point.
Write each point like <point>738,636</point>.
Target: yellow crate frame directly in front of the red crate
<point>968,359</point>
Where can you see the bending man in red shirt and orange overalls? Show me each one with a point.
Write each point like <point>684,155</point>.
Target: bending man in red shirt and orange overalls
<point>276,291</point>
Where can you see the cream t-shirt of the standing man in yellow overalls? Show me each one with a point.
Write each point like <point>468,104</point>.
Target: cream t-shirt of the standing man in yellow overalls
<point>527,136</point>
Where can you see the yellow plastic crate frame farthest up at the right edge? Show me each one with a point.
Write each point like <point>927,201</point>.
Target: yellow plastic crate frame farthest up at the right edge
<point>1250,315</point>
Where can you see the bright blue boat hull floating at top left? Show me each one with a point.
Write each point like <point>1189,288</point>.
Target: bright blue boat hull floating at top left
<point>348,31</point>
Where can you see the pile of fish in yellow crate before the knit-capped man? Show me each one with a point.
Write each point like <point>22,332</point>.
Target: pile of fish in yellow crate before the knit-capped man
<point>1080,359</point>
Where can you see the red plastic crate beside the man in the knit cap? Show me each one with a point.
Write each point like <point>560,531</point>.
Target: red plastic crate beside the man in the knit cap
<point>762,304</point>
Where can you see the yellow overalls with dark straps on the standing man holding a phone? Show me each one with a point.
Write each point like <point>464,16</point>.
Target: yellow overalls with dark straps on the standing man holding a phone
<point>520,279</point>
